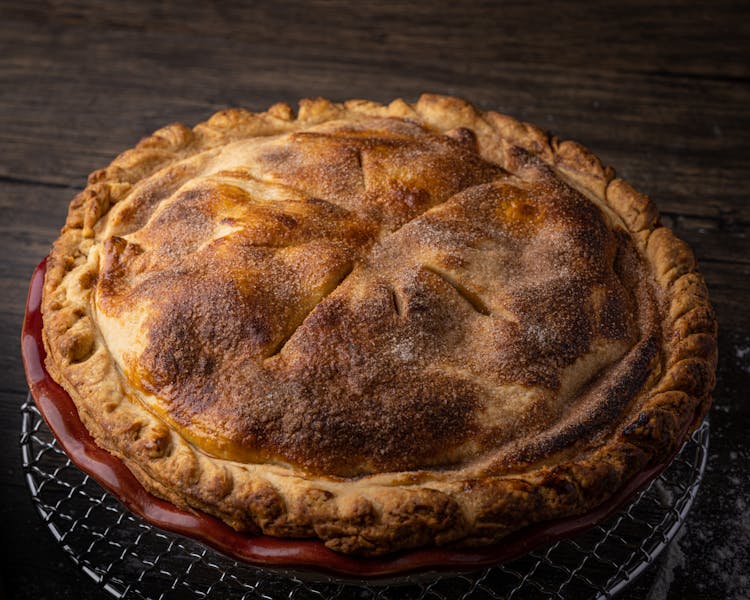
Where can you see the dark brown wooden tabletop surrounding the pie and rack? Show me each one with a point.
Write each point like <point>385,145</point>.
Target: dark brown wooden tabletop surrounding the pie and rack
<point>661,90</point>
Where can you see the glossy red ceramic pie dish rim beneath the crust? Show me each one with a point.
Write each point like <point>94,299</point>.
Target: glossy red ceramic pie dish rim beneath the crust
<point>58,410</point>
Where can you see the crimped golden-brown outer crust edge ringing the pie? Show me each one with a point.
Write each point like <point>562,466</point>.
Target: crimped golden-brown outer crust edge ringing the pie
<point>372,516</point>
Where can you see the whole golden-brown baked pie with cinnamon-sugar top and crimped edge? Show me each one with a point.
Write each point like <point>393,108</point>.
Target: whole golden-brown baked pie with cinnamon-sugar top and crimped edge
<point>386,327</point>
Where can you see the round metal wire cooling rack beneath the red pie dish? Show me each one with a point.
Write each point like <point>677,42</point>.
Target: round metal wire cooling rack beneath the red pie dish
<point>129,558</point>
